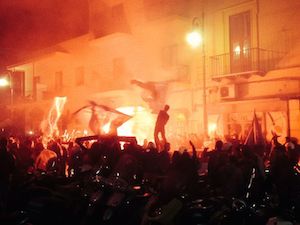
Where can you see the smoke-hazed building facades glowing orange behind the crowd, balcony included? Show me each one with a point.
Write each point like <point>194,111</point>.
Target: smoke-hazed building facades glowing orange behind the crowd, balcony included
<point>249,61</point>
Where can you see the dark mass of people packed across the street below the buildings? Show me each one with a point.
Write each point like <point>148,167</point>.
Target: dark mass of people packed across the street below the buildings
<point>231,169</point>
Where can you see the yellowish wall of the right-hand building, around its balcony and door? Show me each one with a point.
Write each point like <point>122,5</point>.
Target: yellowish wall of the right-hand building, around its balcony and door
<point>273,27</point>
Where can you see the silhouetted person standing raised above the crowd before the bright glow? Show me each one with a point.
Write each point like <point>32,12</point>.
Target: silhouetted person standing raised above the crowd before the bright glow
<point>161,122</point>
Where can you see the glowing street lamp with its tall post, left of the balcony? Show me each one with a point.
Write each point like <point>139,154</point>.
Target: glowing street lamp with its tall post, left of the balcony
<point>195,39</point>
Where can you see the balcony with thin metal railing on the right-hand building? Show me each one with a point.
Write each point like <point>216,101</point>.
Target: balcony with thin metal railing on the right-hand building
<point>254,61</point>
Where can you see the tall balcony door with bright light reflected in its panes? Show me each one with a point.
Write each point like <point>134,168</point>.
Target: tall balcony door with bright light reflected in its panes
<point>240,49</point>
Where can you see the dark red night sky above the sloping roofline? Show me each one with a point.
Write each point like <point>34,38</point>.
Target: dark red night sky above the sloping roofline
<point>27,25</point>
